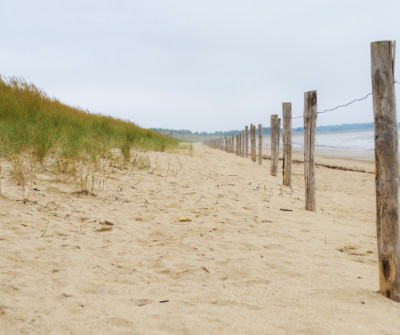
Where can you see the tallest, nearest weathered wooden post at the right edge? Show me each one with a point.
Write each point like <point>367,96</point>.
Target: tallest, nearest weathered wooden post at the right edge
<point>386,168</point>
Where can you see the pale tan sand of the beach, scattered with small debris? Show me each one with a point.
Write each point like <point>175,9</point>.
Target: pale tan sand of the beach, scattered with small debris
<point>251,261</point>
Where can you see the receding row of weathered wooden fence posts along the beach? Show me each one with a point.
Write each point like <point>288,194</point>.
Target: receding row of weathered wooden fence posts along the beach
<point>386,160</point>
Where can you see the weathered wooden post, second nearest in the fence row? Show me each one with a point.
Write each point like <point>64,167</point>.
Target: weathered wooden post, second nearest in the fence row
<point>310,122</point>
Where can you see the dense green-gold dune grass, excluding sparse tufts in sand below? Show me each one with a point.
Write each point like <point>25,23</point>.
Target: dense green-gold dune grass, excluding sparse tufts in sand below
<point>32,122</point>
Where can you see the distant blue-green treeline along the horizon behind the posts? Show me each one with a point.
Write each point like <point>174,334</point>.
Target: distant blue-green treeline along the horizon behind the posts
<point>267,130</point>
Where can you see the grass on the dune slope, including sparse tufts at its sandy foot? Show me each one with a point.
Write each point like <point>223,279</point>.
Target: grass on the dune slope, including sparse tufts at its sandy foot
<point>41,133</point>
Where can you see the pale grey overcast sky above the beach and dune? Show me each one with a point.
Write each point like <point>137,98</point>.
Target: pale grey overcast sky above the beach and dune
<point>200,65</point>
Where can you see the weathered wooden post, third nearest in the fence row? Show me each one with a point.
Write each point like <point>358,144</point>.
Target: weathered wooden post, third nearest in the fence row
<point>287,143</point>
